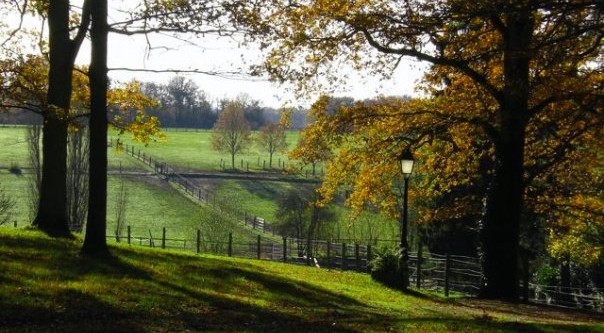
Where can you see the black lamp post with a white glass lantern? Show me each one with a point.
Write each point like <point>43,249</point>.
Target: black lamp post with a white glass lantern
<point>407,162</point>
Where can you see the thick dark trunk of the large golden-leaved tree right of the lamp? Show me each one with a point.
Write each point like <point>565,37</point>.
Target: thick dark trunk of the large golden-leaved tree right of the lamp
<point>504,205</point>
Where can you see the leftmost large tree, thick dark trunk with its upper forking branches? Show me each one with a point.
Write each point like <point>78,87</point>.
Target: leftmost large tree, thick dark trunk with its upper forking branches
<point>66,32</point>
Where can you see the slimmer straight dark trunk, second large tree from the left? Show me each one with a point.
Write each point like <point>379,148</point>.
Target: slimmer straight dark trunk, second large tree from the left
<point>95,243</point>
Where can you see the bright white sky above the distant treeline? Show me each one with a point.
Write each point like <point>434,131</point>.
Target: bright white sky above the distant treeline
<point>224,55</point>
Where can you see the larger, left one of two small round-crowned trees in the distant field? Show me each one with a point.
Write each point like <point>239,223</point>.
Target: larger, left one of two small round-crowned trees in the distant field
<point>231,133</point>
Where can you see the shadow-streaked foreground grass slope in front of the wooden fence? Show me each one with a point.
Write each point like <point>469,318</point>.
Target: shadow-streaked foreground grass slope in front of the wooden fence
<point>46,286</point>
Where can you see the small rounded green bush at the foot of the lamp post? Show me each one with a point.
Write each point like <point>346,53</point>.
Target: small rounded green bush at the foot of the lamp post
<point>385,267</point>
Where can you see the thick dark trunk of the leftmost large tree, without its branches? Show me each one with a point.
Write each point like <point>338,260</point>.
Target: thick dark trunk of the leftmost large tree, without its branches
<point>51,216</point>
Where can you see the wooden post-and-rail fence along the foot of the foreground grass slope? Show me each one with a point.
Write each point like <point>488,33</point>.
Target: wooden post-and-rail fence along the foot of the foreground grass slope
<point>450,274</point>
